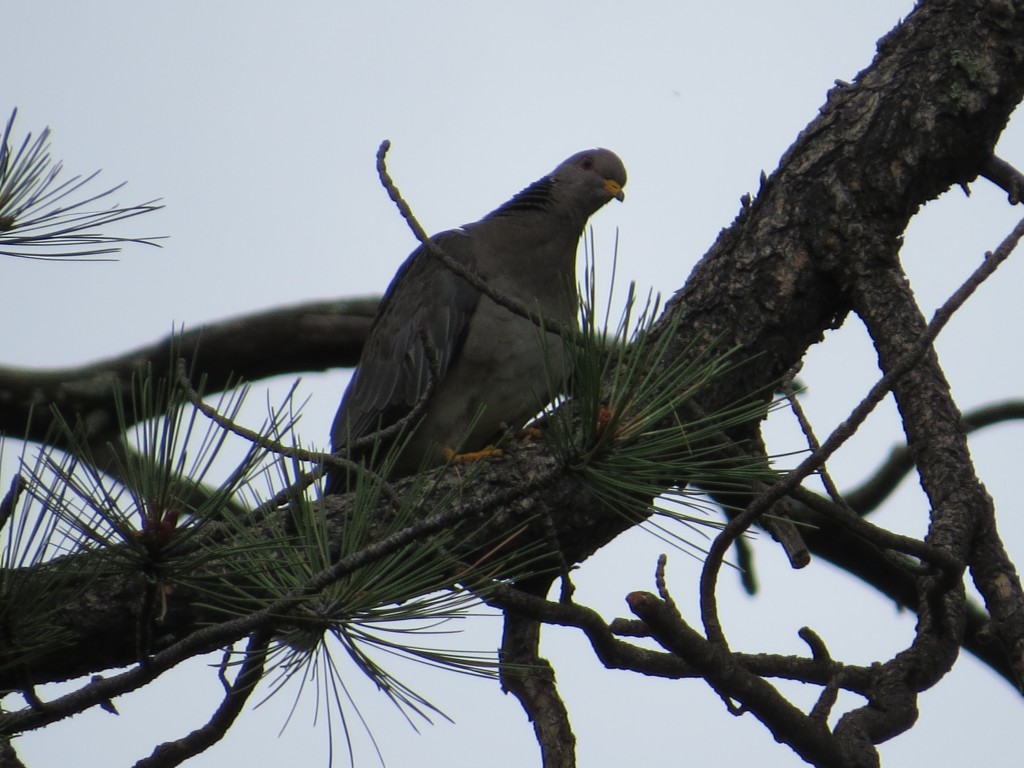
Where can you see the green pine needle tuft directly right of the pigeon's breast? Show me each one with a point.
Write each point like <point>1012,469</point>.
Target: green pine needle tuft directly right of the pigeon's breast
<point>620,426</point>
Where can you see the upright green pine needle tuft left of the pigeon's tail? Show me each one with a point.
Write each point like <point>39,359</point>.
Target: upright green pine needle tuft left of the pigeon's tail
<point>147,514</point>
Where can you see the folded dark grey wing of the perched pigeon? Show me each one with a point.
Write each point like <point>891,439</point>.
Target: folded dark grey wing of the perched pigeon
<point>425,302</point>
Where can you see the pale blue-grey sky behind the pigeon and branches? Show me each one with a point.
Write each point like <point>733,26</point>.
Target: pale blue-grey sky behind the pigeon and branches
<point>258,125</point>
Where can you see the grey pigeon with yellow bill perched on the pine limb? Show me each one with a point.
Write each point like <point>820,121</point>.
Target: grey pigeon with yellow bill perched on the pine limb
<point>492,369</point>
